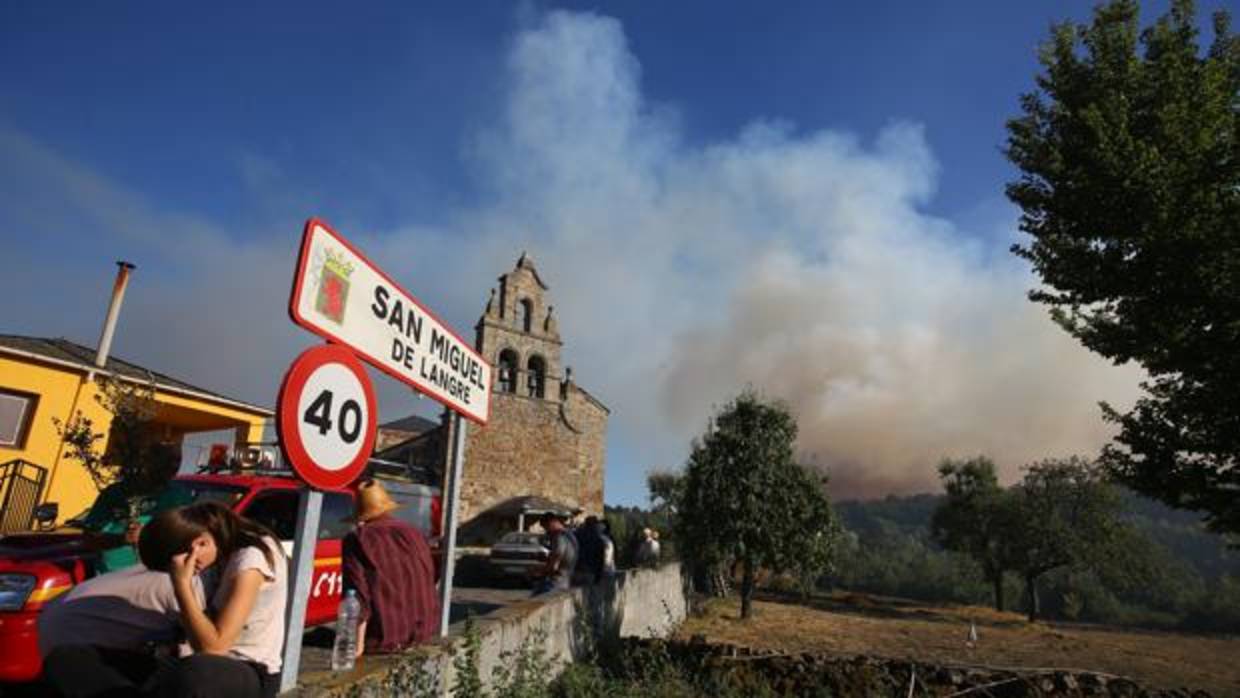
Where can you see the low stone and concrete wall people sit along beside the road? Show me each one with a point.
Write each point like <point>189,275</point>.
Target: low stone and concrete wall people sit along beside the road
<point>643,603</point>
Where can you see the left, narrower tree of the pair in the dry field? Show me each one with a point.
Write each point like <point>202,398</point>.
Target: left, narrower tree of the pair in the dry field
<point>976,519</point>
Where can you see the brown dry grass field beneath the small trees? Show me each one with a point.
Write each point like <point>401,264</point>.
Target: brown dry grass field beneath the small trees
<point>857,624</point>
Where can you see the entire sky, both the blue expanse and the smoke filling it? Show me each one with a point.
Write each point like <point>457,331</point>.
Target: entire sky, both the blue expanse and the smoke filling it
<point>799,198</point>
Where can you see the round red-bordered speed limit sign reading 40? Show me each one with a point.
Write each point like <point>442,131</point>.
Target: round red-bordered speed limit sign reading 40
<point>327,417</point>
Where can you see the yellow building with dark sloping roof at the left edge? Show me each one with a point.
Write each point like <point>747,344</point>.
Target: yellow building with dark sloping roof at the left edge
<point>44,380</point>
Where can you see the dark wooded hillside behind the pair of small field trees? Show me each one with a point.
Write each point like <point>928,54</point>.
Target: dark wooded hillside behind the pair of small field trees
<point>1185,578</point>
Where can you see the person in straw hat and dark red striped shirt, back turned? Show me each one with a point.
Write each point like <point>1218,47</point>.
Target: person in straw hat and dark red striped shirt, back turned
<point>389,563</point>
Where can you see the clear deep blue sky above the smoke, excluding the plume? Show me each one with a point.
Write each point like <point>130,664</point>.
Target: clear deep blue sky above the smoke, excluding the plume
<point>345,104</point>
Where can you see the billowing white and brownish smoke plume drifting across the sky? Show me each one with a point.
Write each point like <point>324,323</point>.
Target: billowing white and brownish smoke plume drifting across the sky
<point>800,263</point>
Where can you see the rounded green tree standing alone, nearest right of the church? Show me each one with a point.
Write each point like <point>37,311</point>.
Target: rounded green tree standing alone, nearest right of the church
<point>747,500</point>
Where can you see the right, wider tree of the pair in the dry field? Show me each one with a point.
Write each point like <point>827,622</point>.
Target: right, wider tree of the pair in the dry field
<point>1065,515</point>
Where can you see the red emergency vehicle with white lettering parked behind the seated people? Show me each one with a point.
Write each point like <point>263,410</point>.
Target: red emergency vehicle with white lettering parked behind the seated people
<point>38,567</point>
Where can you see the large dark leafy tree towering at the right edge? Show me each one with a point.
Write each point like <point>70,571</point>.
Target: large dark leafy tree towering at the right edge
<point>1130,189</point>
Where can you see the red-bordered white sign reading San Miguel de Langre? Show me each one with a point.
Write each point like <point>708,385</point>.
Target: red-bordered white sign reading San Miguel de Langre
<point>342,296</point>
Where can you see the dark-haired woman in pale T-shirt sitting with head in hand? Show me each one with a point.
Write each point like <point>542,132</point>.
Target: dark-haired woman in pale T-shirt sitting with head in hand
<point>237,649</point>
